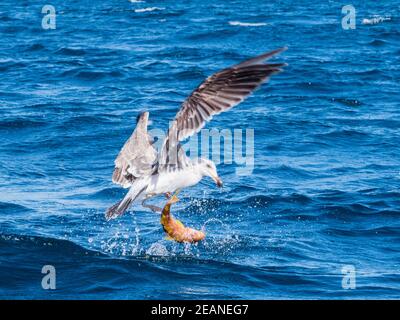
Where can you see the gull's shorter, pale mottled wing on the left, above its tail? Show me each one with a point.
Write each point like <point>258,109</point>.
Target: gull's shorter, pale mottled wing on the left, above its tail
<point>137,156</point>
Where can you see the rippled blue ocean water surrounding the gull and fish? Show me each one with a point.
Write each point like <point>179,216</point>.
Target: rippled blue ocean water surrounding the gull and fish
<point>324,193</point>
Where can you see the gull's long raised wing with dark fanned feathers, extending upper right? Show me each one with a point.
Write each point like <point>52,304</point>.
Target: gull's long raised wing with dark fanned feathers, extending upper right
<point>218,93</point>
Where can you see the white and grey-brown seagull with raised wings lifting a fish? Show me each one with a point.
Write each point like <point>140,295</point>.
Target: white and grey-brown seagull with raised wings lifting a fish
<point>147,173</point>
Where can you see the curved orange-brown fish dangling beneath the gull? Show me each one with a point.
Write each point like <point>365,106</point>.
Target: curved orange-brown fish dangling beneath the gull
<point>175,229</point>
